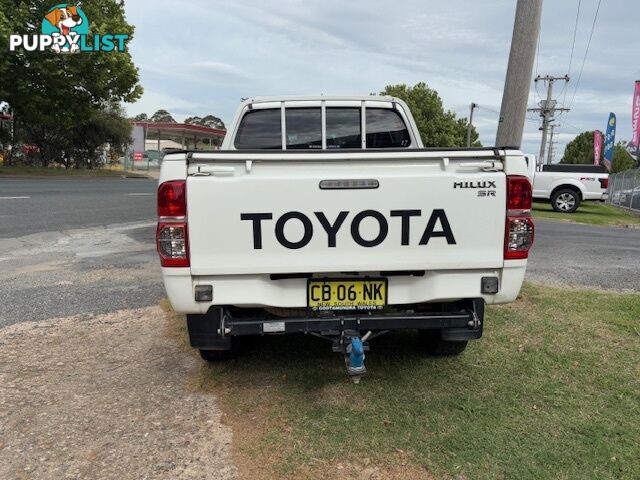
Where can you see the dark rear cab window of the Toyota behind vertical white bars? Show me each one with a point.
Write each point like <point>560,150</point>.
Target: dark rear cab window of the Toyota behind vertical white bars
<point>261,129</point>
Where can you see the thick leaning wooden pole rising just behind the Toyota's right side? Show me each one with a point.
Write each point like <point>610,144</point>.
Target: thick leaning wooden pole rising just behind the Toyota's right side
<point>517,84</point>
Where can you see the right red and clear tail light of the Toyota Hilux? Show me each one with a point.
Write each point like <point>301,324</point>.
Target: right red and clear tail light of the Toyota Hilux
<point>519,229</point>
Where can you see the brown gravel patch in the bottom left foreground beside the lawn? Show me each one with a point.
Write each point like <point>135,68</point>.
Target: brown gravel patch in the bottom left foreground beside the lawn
<point>105,398</point>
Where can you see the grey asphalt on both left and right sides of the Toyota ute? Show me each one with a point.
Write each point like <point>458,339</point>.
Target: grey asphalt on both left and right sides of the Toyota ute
<point>85,246</point>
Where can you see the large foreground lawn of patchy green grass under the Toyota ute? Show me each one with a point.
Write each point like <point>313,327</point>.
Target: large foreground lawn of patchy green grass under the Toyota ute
<point>552,391</point>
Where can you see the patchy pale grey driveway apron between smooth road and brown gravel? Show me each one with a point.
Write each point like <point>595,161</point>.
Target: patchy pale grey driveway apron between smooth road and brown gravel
<point>72,272</point>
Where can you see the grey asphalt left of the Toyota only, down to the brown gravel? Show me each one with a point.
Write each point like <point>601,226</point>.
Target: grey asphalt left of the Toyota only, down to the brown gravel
<point>76,246</point>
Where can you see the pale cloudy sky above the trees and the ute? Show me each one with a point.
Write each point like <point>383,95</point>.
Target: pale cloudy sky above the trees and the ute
<point>201,57</point>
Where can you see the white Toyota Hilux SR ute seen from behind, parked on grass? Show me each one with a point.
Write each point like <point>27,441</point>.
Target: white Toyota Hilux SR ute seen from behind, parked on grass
<point>325,215</point>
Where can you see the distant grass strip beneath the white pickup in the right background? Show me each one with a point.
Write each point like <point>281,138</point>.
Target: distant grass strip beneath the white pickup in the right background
<point>594,213</point>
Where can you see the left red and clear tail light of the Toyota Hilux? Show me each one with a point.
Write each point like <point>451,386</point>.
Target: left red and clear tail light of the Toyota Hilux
<point>172,238</point>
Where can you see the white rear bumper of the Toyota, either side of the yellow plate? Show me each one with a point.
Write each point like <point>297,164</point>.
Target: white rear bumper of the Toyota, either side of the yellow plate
<point>261,290</point>
